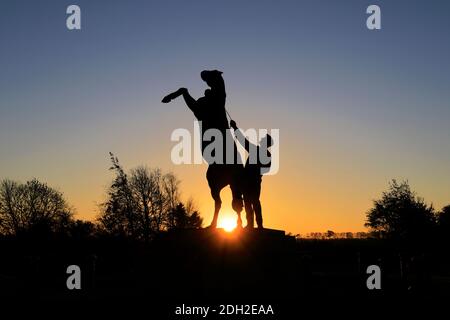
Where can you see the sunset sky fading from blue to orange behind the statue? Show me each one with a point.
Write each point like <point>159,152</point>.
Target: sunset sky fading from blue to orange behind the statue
<point>355,108</point>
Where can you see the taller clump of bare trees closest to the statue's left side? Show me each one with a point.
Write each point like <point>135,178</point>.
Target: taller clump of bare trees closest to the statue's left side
<point>146,201</point>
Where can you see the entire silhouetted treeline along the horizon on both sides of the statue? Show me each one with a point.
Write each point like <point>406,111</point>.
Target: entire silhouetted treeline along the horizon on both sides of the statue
<point>144,202</point>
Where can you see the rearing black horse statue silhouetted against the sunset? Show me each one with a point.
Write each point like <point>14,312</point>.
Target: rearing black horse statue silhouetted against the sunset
<point>210,110</point>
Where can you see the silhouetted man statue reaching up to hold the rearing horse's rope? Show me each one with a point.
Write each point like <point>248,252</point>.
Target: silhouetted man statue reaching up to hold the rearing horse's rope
<point>257,164</point>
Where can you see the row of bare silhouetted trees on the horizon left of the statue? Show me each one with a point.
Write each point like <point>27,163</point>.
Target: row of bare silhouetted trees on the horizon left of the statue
<point>139,205</point>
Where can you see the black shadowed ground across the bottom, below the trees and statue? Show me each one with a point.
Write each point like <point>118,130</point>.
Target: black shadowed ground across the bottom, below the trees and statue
<point>201,267</point>
